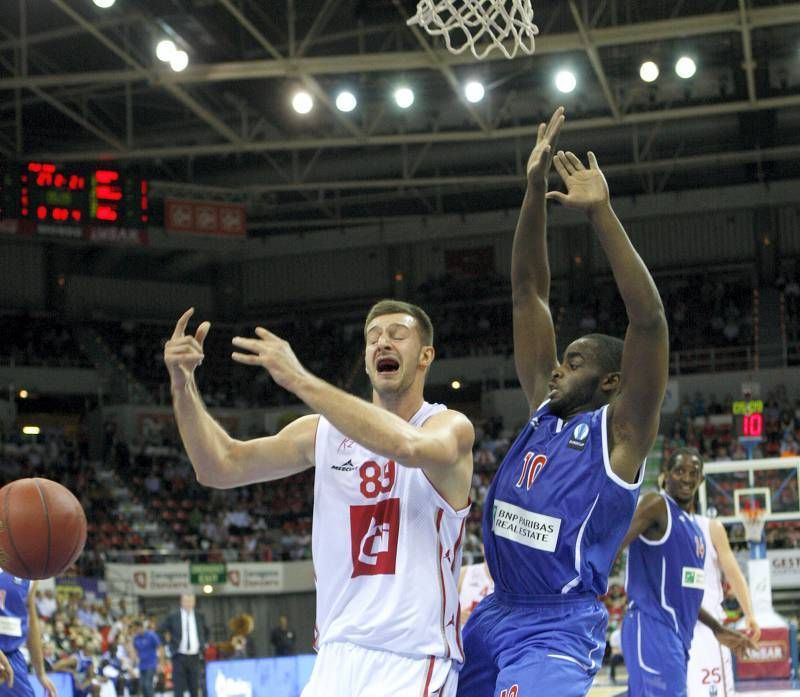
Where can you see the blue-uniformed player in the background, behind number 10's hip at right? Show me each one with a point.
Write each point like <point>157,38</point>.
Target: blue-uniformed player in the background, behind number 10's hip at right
<point>665,584</point>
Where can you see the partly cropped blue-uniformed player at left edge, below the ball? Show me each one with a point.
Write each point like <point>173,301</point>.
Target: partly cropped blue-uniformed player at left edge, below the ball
<point>19,624</point>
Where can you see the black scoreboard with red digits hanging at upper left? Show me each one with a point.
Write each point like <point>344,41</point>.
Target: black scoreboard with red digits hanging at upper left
<point>43,192</point>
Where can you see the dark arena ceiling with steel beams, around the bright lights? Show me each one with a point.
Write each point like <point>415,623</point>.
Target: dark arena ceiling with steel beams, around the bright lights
<point>78,83</point>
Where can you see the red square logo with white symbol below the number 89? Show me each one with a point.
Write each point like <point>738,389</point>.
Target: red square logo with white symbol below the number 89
<point>374,532</point>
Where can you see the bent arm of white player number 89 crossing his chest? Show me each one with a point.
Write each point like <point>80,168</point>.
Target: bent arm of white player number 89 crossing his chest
<point>442,446</point>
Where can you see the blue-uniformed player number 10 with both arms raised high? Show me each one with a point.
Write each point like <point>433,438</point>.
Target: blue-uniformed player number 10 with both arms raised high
<point>564,496</point>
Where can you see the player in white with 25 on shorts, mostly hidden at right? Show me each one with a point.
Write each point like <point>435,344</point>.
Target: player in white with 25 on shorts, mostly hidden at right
<point>710,671</point>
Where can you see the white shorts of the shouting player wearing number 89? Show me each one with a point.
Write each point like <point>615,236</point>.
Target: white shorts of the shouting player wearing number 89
<point>347,670</point>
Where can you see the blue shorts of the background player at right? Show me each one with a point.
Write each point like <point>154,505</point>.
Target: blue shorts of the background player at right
<point>655,657</point>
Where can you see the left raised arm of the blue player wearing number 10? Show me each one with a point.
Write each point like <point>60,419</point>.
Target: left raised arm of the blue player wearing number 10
<point>534,335</point>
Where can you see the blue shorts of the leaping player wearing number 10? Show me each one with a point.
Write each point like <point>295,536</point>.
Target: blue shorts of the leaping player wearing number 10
<point>546,646</point>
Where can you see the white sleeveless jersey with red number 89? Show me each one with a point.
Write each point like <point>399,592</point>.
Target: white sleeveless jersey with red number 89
<point>387,551</point>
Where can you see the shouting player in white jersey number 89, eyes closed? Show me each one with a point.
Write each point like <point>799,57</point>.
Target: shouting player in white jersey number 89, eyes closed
<point>391,495</point>
